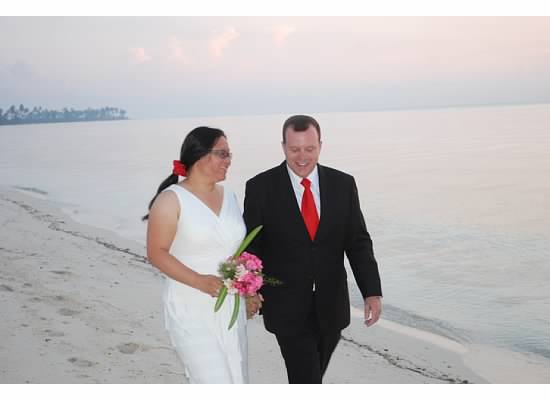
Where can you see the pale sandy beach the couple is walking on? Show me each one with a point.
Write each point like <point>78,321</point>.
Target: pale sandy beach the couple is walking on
<point>82,305</point>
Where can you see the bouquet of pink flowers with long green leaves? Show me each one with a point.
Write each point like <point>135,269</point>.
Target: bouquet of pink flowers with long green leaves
<point>242,276</point>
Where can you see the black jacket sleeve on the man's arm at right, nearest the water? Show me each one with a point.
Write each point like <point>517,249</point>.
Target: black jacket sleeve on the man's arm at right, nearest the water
<point>359,250</point>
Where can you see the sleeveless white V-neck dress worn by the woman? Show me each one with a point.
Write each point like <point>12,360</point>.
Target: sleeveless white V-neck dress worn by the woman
<point>209,351</point>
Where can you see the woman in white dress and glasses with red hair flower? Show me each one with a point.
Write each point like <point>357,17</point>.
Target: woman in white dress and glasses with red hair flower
<point>193,225</point>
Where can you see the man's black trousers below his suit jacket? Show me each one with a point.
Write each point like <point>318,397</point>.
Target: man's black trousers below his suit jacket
<point>308,352</point>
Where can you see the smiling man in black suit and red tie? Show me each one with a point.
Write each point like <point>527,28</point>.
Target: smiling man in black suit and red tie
<point>311,216</point>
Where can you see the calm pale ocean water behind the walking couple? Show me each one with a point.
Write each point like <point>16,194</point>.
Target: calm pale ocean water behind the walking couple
<point>456,200</point>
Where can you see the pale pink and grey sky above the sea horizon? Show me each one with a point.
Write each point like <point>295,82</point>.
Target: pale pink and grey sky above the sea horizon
<point>164,67</point>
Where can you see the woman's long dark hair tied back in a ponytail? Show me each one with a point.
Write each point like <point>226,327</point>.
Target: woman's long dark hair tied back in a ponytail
<point>196,145</point>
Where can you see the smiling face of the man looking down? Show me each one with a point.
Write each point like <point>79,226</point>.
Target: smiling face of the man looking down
<point>302,150</point>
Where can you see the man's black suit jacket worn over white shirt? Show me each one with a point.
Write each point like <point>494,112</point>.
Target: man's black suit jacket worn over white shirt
<point>290,255</point>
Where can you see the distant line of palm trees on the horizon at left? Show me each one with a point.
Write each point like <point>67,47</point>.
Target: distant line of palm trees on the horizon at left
<point>23,115</point>
